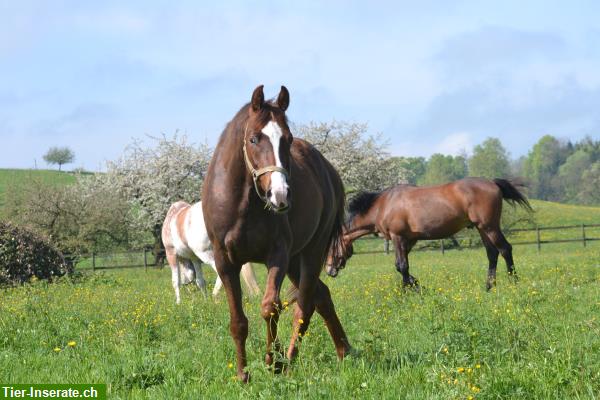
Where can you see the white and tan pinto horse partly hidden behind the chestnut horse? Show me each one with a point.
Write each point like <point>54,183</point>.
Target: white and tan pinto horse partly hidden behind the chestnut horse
<point>187,246</point>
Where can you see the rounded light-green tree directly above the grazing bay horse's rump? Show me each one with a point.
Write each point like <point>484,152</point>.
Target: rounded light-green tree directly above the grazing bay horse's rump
<point>489,160</point>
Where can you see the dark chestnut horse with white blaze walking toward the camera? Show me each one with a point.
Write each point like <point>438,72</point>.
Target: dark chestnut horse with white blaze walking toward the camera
<point>274,199</point>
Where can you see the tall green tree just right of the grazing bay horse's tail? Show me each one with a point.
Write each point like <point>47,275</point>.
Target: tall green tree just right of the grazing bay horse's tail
<point>542,164</point>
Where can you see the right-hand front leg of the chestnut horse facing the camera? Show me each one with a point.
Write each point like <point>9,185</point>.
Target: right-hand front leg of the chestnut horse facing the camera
<point>271,303</point>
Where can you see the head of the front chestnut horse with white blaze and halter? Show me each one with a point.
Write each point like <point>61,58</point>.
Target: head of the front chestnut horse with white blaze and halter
<point>267,141</point>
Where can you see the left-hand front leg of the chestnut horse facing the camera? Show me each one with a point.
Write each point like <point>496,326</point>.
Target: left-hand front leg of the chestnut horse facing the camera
<point>238,323</point>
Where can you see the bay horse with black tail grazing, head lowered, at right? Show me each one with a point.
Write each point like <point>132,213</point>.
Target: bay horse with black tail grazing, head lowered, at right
<point>405,214</point>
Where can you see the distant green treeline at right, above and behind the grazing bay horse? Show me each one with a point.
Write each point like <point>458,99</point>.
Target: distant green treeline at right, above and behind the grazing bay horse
<point>554,170</point>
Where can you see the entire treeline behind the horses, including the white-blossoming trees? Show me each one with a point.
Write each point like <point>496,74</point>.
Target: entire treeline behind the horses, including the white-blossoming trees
<point>125,206</point>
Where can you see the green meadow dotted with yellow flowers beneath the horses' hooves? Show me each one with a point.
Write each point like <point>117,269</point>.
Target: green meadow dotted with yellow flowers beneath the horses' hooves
<point>537,339</point>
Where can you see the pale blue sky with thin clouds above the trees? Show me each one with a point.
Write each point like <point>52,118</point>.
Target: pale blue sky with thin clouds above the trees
<point>437,76</point>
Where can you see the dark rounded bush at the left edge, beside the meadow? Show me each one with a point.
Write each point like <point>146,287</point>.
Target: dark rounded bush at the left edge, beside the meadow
<point>24,255</point>
